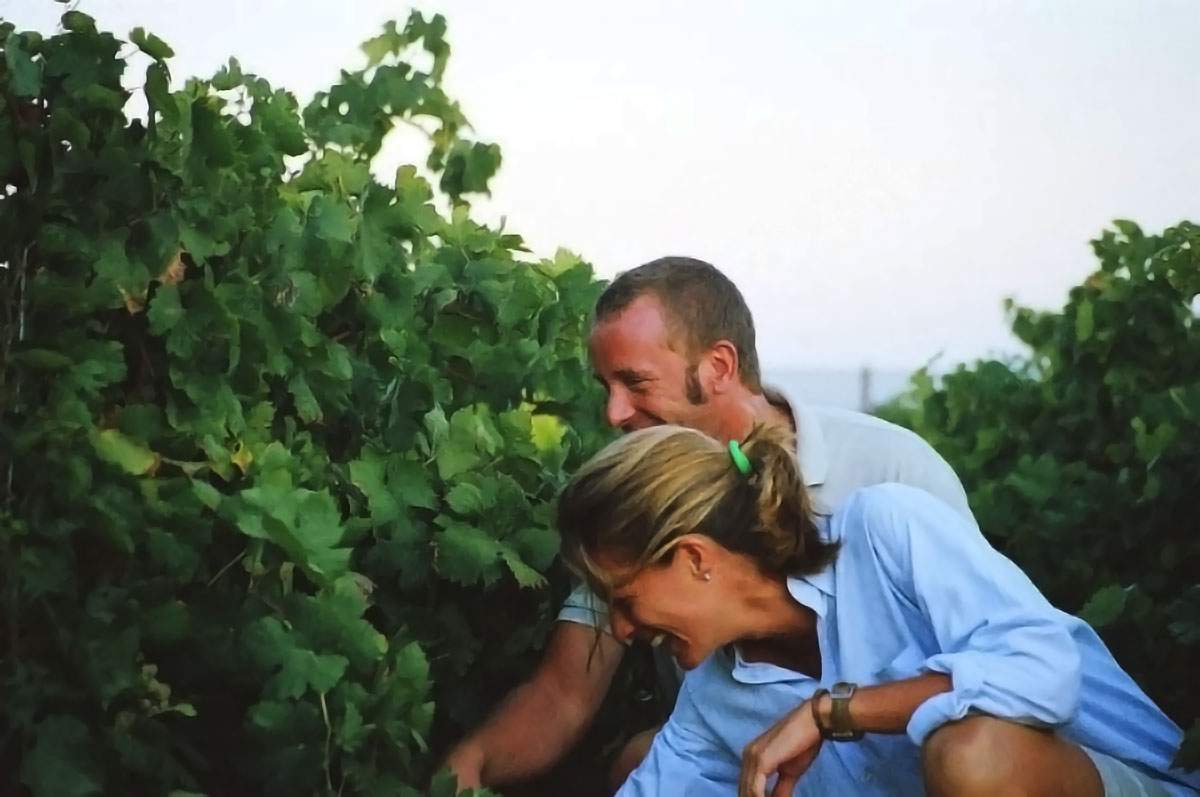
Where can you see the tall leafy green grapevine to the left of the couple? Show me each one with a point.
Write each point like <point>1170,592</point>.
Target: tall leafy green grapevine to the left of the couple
<point>304,394</point>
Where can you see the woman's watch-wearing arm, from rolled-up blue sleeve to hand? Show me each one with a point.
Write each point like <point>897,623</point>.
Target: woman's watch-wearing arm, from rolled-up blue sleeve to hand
<point>1004,650</point>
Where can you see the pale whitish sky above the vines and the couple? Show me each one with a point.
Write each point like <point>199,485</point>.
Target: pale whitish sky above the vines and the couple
<point>877,176</point>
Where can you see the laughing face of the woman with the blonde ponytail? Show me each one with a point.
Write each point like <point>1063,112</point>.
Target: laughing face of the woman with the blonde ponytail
<point>670,604</point>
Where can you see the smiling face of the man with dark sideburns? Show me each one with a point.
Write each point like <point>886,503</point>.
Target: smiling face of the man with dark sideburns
<point>649,382</point>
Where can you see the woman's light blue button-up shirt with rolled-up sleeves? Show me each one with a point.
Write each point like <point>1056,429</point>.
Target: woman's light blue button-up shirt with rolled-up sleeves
<point>915,589</point>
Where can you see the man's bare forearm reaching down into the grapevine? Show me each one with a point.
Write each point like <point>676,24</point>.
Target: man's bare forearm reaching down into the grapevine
<point>543,718</point>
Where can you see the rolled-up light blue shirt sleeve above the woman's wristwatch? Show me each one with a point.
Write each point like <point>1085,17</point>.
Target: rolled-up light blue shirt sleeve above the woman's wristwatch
<point>1009,652</point>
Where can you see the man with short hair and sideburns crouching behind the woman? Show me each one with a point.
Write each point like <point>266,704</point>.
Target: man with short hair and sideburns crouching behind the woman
<point>674,343</point>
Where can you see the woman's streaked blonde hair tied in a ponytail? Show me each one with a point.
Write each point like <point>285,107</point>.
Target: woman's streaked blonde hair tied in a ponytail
<point>635,499</point>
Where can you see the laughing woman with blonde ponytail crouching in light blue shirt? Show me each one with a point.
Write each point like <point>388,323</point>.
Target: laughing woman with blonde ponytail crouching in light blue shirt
<point>951,674</point>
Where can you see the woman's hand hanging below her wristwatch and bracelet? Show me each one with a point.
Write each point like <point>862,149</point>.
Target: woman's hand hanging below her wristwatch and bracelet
<point>789,748</point>
